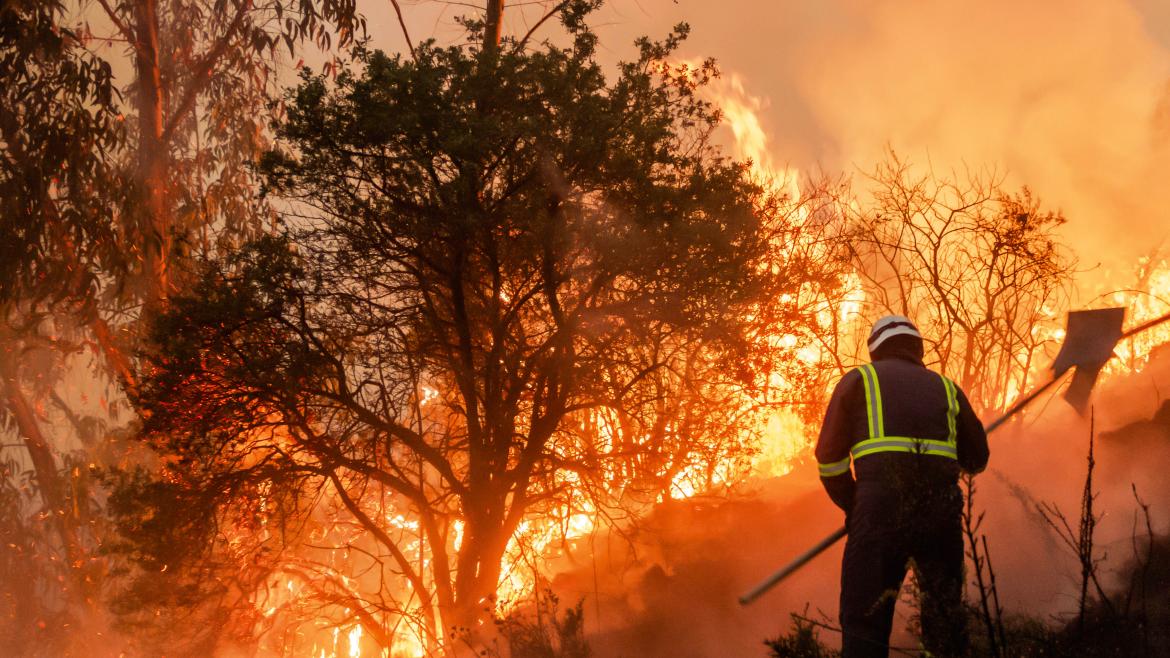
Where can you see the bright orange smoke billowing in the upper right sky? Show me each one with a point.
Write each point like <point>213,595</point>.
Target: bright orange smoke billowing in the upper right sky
<point>1070,100</point>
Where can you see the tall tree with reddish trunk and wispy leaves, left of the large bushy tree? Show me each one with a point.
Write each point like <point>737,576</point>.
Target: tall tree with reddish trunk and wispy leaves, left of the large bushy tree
<point>203,72</point>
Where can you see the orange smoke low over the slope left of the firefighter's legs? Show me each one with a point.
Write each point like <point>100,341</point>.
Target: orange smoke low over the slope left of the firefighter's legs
<point>671,588</point>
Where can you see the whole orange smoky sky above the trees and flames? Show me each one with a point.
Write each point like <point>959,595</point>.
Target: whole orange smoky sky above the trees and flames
<point>1070,98</point>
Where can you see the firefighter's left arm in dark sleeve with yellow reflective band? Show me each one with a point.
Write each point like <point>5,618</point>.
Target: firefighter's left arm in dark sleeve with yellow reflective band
<point>835,442</point>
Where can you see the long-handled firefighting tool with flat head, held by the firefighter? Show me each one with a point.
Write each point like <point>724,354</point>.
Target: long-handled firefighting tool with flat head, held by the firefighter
<point>1090,341</point>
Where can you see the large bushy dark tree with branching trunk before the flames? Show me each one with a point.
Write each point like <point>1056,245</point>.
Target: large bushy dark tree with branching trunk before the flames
<point>486,252</point>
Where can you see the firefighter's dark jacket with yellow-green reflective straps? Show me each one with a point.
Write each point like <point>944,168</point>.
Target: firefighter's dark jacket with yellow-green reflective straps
<point>883,412</point>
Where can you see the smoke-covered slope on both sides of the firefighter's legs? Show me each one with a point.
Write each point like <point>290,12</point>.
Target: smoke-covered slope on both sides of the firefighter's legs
<point>671,588</point>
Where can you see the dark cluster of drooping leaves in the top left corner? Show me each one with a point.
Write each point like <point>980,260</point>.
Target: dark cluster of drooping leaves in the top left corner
<point>59,126</point>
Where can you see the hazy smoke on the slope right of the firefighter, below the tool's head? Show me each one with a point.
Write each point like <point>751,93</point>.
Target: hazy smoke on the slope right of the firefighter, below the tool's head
<point>1043,460</point>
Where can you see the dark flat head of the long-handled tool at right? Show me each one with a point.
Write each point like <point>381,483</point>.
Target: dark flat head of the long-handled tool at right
<point>1089,345</point>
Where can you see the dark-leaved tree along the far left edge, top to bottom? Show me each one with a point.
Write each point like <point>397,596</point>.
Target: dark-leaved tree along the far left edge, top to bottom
<point>59,129</point>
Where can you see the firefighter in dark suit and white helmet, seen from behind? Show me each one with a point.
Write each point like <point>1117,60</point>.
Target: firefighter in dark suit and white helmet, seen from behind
<point>909,434</point>
